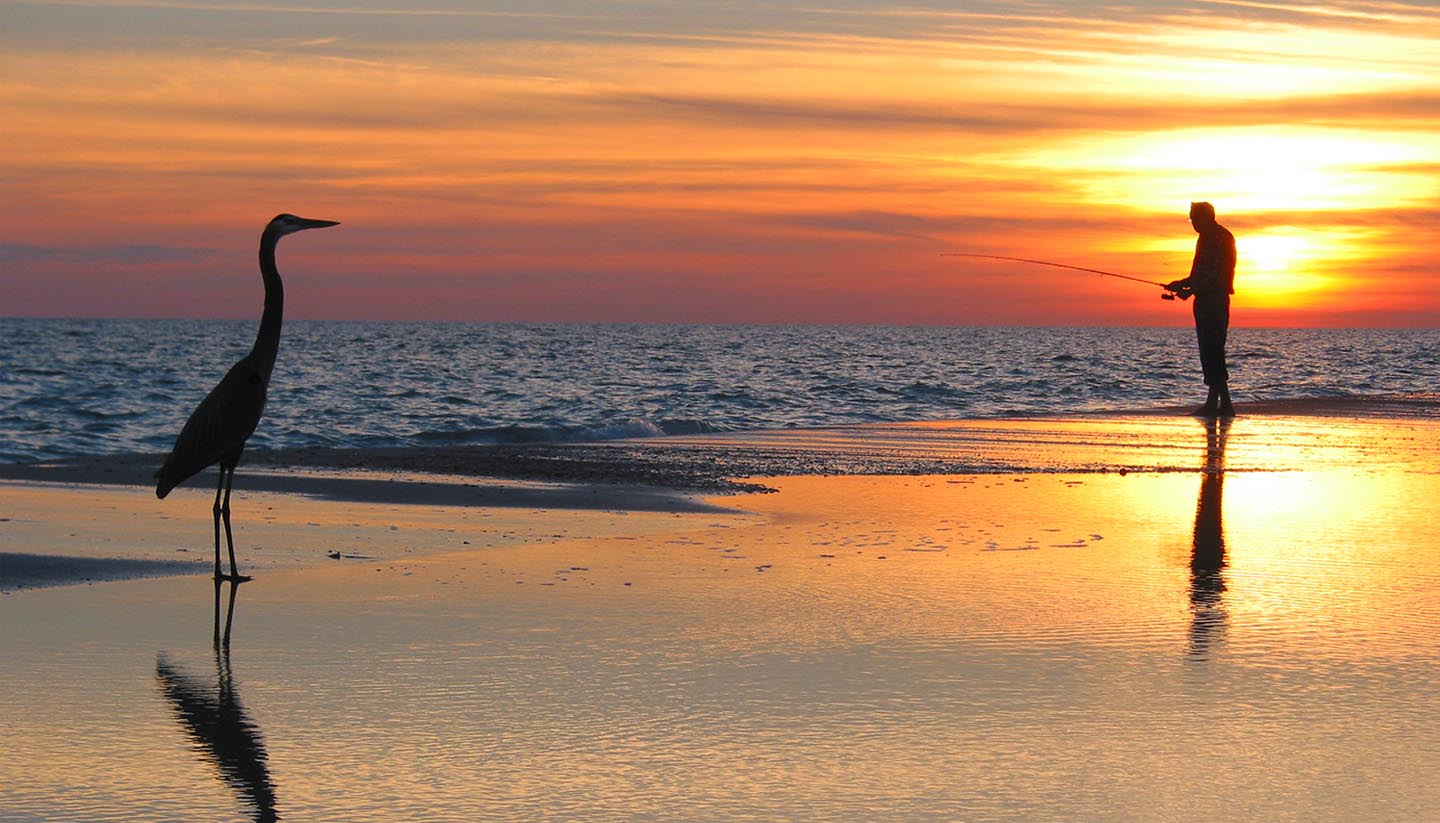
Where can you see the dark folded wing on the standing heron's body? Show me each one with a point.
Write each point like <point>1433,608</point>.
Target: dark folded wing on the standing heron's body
<point>218,428</point>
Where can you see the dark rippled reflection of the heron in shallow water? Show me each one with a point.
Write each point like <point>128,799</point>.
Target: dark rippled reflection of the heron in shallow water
<point>217,722</point>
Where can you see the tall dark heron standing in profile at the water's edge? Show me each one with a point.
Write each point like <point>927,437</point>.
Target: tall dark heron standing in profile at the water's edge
<point>221,425</point>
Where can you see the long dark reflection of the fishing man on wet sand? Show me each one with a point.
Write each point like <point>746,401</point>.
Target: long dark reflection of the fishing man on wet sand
<point>1207,559</point>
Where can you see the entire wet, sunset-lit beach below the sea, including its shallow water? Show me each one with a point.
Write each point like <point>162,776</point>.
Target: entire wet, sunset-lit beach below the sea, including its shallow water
<point>1098,618</point>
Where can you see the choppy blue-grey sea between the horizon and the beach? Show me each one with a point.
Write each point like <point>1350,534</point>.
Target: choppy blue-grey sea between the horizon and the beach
<point>123,386</point>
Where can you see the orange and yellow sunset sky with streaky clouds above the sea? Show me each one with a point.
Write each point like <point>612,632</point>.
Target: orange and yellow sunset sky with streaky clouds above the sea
<point>712,162</point>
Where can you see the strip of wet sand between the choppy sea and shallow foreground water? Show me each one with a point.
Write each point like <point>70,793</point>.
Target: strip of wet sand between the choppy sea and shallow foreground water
<point>662,477</point>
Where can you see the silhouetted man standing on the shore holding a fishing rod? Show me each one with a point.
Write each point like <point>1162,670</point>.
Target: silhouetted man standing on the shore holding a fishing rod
<point>1212,281</point>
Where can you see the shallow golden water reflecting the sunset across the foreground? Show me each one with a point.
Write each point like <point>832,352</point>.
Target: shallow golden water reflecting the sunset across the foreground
<point>1219,645</point>
